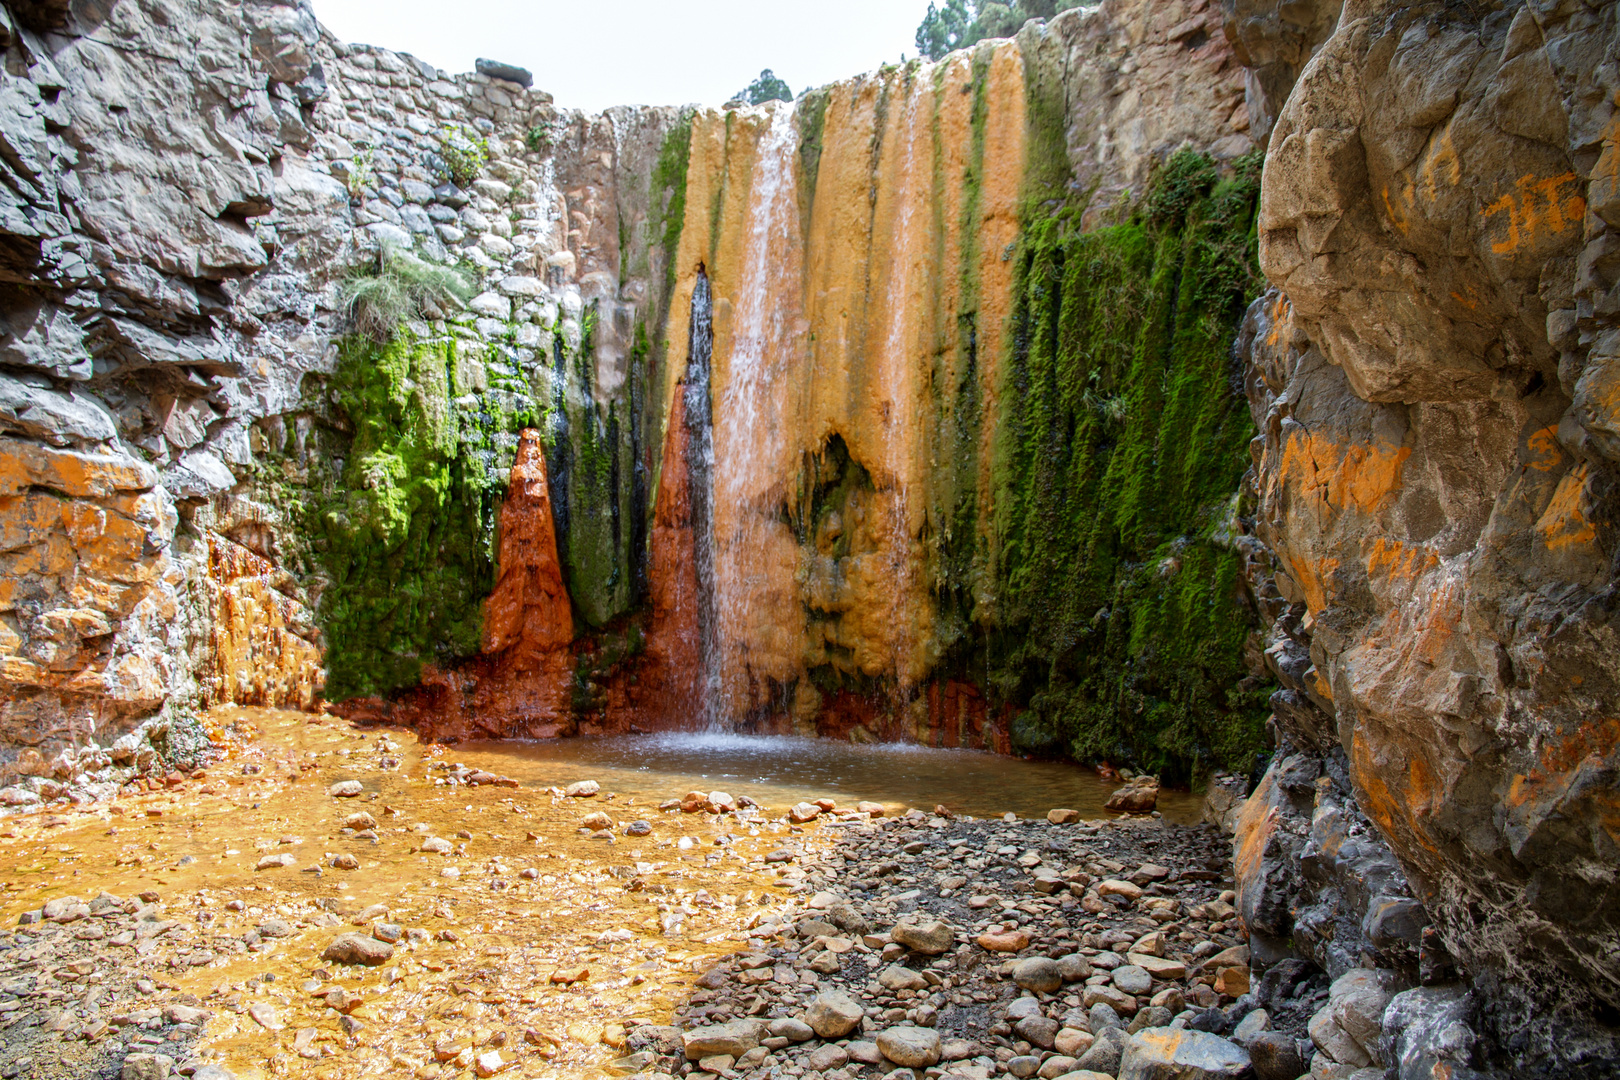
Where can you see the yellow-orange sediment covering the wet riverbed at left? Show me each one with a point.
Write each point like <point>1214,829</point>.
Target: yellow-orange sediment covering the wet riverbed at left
<point>542,969</point>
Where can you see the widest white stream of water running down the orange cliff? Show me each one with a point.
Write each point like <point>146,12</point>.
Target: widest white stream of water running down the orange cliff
<point>749,410</point>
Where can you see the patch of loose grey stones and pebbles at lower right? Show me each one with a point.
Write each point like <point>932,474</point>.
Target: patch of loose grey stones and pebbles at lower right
<point>1000,950</point>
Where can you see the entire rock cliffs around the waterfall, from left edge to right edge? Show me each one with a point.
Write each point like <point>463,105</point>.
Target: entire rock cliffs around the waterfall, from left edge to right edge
<point>911,407</point>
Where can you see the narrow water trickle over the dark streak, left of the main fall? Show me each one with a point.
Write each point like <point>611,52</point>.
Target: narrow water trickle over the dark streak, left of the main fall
<point>701,474</point>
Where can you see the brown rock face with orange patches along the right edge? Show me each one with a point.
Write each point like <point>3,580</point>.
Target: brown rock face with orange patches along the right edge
<point>1436,477</point>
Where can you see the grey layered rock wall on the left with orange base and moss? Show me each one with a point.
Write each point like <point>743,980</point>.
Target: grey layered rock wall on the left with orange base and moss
<point>184,226</point>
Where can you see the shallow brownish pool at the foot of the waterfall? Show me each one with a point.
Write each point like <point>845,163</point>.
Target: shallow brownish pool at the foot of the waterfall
<point>778,772</point>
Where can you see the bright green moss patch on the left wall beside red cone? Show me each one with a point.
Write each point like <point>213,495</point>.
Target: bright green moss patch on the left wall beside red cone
<point>404,535</point>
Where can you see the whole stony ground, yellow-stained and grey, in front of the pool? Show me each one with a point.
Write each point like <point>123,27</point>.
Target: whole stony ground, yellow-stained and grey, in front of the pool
<point>338,903</point>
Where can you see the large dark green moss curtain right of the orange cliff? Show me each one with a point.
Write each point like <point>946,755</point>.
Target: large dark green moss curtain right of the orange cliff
<point>1122,441</point>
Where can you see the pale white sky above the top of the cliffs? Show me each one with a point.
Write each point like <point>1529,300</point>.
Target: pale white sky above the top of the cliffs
<point>592,54</point>
